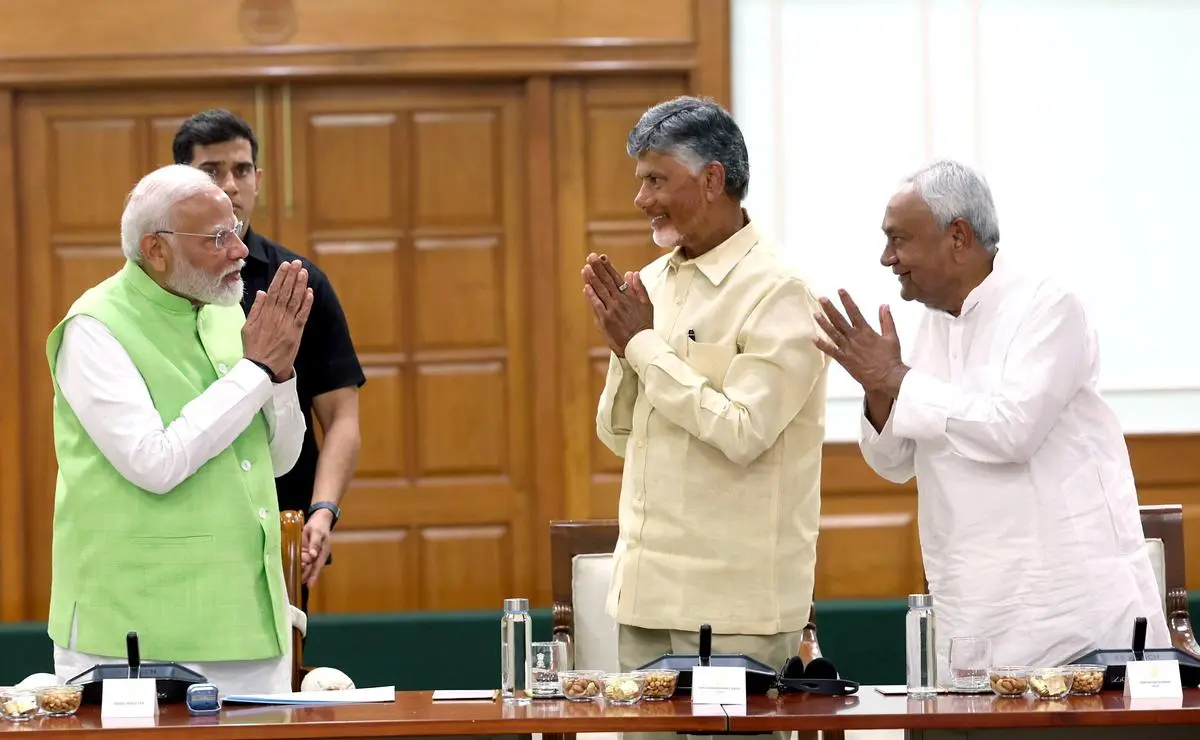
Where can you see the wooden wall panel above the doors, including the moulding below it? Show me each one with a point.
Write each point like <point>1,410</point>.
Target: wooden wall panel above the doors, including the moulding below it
<point>43,44</point>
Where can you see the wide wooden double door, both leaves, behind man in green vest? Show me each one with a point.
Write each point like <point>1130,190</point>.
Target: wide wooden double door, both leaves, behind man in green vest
<point>412,201</point>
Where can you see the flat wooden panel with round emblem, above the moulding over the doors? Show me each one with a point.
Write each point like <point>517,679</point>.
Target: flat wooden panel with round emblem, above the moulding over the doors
<point>104,29</point>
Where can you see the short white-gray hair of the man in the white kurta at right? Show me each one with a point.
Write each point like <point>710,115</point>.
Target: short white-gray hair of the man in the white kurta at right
<point>956,191</point>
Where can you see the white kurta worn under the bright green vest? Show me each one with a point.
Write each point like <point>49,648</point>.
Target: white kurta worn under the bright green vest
<point>113,404</point>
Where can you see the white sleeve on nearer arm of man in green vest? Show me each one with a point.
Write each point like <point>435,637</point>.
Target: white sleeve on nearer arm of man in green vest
<point>109,395</point>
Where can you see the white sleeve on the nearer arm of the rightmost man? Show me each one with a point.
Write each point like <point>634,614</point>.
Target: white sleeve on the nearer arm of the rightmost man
<point>1043,368</point>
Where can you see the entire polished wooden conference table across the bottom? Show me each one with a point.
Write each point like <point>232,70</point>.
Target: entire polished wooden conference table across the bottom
<point>416,715</point>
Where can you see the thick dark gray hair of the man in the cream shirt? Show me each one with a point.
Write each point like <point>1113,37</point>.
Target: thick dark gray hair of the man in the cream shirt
<point>698,133</point>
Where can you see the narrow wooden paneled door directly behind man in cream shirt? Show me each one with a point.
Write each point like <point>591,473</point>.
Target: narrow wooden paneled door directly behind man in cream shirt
<point>596,185</point>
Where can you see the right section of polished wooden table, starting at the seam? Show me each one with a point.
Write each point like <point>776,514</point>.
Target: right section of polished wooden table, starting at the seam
<point>872,711</point>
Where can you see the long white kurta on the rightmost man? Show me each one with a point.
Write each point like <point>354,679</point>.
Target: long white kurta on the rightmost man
<point>1028,510</point>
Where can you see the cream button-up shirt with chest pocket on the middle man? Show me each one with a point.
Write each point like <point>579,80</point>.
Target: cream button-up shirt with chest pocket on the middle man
<point>722,436</point>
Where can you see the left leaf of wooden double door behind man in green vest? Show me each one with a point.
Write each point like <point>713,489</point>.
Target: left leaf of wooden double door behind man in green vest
<point>80,154</point>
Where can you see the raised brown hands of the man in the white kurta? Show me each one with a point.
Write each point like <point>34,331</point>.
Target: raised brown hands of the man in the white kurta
<point>872,358</point>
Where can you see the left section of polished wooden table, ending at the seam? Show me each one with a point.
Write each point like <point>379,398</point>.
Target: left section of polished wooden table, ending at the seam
<point>415,713</point>
